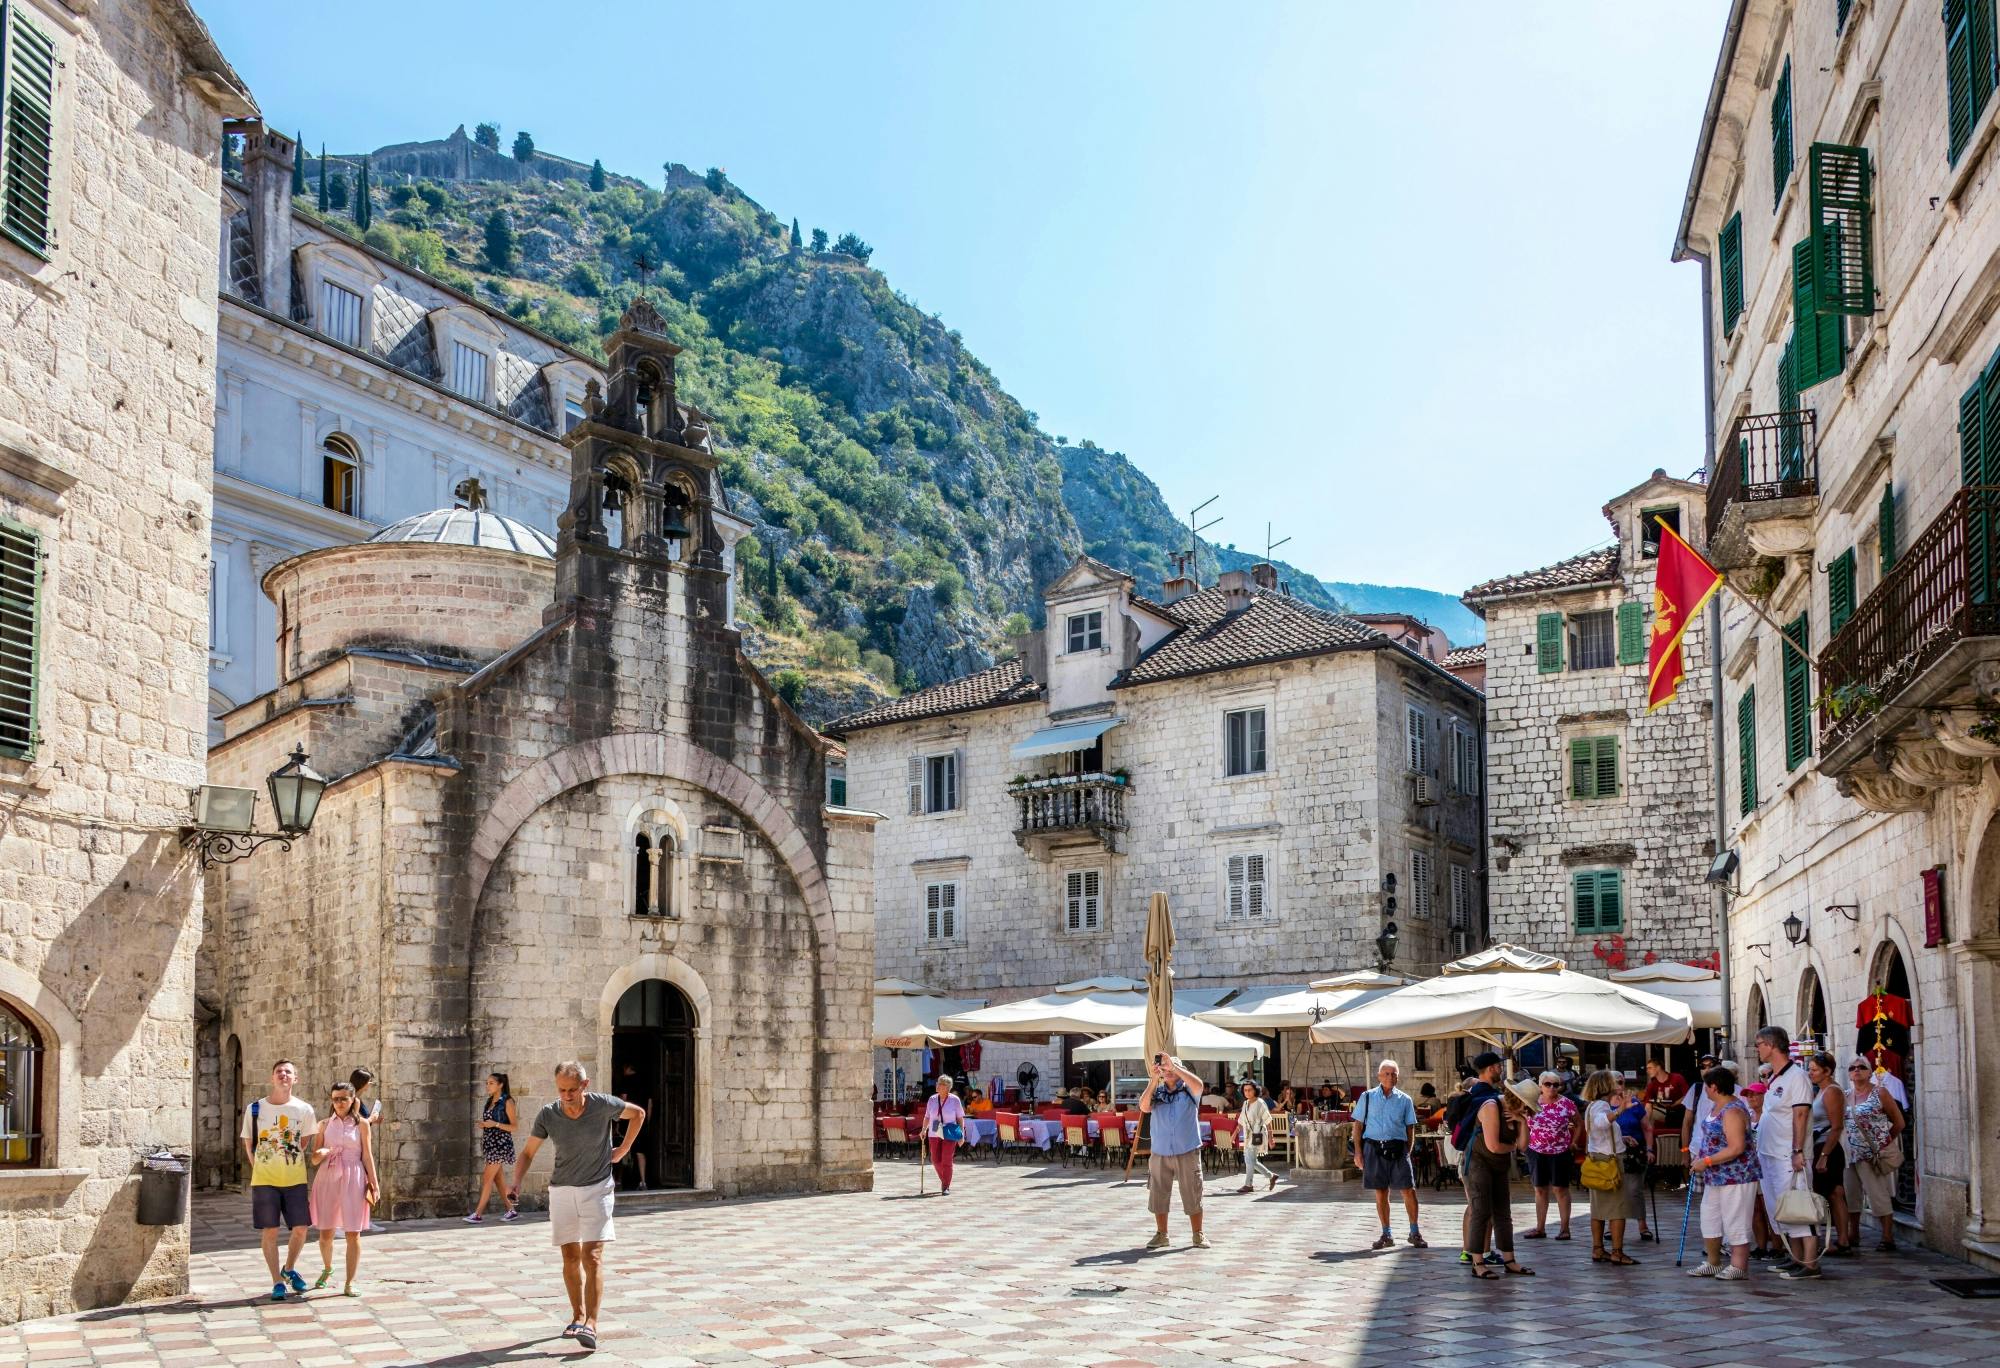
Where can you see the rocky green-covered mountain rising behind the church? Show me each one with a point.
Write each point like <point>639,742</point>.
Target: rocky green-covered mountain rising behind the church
<point>909,509</point>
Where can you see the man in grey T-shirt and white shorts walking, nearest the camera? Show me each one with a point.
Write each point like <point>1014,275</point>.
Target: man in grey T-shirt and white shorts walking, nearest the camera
<point>581,1191</point>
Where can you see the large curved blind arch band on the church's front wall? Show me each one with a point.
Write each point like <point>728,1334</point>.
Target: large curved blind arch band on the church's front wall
<point>651,755</point>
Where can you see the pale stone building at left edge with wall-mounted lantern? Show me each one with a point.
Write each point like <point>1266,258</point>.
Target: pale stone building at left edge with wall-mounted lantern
<point>105,437</point>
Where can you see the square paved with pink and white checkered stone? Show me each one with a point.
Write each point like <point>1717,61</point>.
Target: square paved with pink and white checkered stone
<point>1023,1265</point>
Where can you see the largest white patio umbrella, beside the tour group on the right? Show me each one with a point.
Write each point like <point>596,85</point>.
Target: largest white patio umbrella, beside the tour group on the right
<point>1507,997</point>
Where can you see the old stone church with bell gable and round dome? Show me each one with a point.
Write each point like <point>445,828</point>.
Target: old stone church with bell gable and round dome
<point>567,817</point>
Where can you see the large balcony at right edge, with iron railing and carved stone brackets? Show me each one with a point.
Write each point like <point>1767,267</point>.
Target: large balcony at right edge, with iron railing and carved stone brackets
<point>1927,639</point>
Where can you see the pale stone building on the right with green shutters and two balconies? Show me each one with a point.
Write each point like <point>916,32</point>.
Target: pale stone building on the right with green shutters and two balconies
<point>1843,817</point>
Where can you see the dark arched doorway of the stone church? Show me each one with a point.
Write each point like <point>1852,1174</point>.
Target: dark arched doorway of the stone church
<point>653,1065</point>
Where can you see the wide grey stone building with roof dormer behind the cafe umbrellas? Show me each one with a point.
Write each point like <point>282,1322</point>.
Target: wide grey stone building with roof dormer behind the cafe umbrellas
<point>1333,811</point>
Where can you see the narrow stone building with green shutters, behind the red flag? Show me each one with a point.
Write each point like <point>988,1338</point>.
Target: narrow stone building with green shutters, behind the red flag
<point>1655,823</point>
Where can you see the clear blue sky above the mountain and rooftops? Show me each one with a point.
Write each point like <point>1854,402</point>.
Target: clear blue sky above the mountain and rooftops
<point>1393,277</point>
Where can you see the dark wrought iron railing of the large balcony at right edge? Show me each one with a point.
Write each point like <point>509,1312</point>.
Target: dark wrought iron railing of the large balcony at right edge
<point>1941,591</point>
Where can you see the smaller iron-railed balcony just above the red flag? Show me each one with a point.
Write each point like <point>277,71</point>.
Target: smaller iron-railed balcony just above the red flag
<point>1765,489</point>
